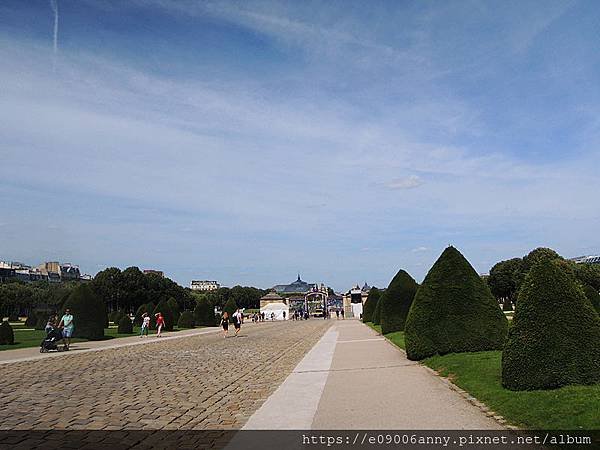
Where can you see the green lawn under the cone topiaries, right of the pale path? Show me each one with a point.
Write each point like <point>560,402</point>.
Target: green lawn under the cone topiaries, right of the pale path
<point>479,374</point>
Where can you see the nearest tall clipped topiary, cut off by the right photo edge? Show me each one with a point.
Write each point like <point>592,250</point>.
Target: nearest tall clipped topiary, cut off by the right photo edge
<point>553,340</point>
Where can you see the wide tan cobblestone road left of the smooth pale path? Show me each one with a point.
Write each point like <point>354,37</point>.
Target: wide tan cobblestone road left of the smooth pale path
<point>201,382</point>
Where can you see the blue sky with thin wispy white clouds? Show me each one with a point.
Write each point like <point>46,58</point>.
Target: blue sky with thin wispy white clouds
<point>248,141</point>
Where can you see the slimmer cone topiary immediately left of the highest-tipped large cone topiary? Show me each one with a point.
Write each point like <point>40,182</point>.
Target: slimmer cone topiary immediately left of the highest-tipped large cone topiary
<point>395,306</point>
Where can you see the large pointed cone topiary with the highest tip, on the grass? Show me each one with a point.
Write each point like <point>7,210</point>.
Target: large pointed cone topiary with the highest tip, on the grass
<point>453,311</point>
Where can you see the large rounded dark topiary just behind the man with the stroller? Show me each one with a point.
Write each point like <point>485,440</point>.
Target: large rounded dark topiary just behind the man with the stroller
<point>89,312</point>
